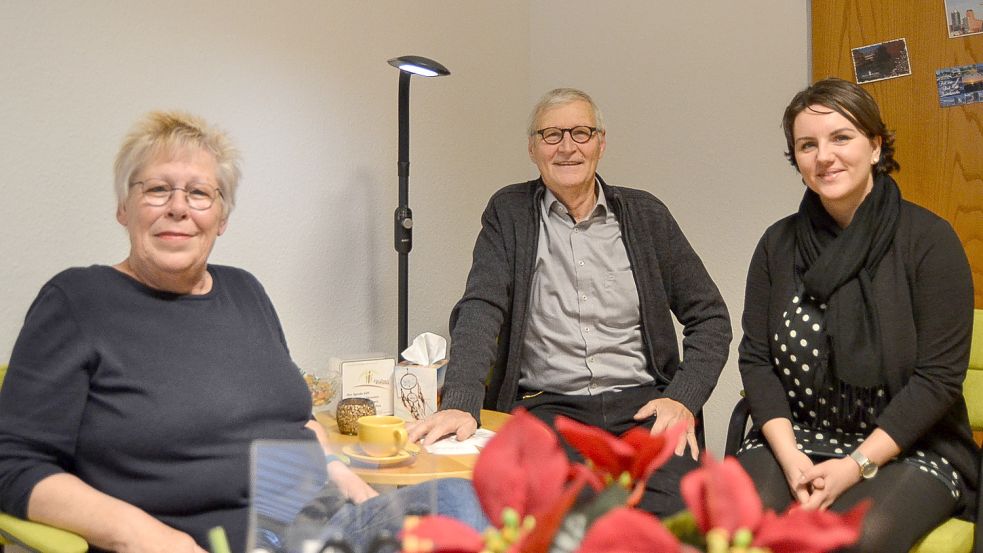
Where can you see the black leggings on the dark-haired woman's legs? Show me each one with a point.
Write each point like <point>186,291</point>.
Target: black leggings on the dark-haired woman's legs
<point>907,502</point>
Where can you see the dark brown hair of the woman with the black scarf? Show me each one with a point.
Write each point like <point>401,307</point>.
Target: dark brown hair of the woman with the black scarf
<point>850,101</point>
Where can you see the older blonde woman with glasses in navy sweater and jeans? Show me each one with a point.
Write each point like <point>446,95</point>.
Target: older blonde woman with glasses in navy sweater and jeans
<point>135,390</point>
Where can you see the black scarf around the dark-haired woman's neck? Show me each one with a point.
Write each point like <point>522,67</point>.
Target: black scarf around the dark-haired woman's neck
<point>837,267</point>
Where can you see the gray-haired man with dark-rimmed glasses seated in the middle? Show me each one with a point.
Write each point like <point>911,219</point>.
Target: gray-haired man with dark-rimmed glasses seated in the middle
<point>570,302</point>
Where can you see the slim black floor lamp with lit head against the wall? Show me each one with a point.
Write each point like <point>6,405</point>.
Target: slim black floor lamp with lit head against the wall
<point>403,217</point>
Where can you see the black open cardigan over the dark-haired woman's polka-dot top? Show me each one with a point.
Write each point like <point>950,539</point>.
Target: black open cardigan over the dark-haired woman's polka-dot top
<point>924,294</point>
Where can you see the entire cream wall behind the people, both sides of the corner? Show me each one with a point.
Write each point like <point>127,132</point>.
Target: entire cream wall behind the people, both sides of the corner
<point>692,94</point>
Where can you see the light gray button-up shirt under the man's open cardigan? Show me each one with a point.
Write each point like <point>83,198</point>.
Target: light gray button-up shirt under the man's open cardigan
<point>584,331</point>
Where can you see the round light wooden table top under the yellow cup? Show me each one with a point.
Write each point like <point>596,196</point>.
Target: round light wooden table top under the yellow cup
<point>426,466</point>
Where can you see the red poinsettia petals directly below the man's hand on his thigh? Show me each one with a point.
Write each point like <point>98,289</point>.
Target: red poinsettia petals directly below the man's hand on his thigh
<point>637,453</point>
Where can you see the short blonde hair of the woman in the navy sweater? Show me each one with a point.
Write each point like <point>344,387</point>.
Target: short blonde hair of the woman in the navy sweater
<point>160,132</point>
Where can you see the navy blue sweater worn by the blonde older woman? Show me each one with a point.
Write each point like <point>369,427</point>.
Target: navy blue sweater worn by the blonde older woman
<point>150,397</point>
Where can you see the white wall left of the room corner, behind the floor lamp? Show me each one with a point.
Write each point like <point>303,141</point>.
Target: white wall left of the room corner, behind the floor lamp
<point>305,90</point>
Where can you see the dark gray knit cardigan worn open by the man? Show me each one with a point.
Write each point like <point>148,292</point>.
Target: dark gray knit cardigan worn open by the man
<point>488,323</point>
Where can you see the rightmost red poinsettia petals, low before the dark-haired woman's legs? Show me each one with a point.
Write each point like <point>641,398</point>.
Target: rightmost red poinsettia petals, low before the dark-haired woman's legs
<point>812,531</point>
